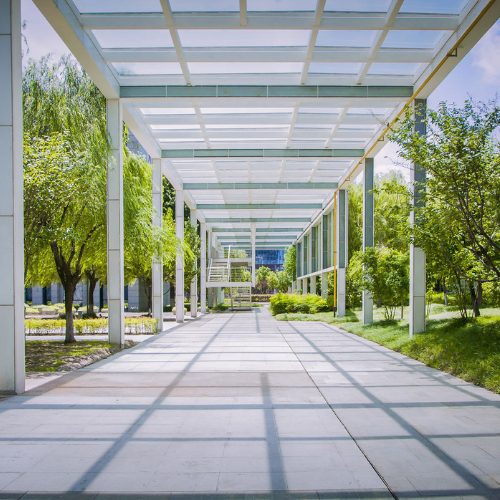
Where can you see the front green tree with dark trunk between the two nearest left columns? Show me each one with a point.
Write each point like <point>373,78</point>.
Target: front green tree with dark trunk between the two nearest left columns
<point>65,195</point>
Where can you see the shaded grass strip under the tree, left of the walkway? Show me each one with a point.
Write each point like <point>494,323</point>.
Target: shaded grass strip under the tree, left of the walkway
<point>54,355</point>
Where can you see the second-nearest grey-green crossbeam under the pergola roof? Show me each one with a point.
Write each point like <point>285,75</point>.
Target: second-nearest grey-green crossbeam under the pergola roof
<point>262,153</point>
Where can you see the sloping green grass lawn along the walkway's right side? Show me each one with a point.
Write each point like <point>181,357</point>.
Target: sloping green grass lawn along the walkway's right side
<point>470,351</point>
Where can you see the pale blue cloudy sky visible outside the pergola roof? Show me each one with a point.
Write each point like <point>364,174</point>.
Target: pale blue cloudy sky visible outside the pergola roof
<point>477,75</point>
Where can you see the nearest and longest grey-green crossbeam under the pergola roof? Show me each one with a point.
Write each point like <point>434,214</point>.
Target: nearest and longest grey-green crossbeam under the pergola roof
<point>266,91</point>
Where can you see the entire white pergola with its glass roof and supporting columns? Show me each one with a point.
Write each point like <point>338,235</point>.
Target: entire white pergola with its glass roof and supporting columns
<point>259,112</point>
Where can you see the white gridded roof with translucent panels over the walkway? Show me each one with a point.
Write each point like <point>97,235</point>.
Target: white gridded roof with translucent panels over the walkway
<point>258,110</point>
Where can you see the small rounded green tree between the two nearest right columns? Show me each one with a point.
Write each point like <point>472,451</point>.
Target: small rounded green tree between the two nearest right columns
<point>385,275</point>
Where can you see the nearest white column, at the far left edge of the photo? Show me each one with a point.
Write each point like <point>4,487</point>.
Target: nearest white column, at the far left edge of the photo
<point>11,201</point>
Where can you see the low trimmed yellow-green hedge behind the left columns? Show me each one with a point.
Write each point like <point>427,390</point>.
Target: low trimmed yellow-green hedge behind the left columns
<point>133,326</point>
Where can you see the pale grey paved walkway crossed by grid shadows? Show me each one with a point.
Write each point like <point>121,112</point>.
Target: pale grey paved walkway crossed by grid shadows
<point>240,403</point>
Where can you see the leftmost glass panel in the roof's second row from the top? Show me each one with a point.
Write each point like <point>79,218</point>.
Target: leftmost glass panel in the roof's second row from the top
<point>133,38</point>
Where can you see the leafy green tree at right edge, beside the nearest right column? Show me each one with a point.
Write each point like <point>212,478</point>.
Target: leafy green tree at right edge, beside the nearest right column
<point>460,154</point>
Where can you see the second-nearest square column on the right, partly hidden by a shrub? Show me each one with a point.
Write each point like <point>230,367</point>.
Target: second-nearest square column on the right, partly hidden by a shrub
<point>368,234</point>
